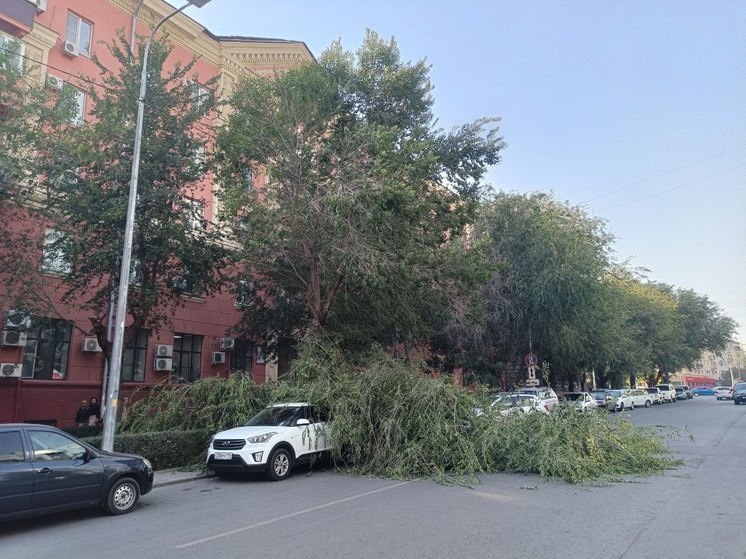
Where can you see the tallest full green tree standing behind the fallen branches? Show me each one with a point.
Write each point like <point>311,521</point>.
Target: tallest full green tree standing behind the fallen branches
<point>350,233</point>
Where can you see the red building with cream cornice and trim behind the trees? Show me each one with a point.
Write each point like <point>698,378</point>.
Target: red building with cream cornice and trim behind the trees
<point>47,364</point>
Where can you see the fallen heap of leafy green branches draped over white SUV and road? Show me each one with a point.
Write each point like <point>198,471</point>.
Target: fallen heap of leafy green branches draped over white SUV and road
<point>390,420</point>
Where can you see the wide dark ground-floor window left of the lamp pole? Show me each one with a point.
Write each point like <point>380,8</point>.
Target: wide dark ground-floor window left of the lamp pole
<point>47,349</point>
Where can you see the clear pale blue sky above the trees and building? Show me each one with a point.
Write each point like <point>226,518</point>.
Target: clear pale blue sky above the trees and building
<point>633,110</point>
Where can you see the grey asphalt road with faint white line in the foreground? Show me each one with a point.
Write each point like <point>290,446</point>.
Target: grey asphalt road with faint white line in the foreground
<point>696,511</point>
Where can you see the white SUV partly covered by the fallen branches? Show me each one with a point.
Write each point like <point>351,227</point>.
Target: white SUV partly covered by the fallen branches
<point>273,441</point>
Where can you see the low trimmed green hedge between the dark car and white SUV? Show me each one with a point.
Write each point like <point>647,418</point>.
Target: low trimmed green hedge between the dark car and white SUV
<point>165,449</point>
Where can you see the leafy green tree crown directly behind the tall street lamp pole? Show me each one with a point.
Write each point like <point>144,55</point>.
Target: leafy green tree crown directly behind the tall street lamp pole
<point>175,250</point>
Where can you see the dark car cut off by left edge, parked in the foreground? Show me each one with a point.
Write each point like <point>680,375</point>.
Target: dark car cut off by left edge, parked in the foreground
<point>45,470</point>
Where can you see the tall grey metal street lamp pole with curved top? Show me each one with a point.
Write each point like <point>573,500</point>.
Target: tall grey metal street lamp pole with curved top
<point>115,370</point>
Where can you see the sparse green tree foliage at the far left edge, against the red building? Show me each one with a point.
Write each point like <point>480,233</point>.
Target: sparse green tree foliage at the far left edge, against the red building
<point>34,122</point>
